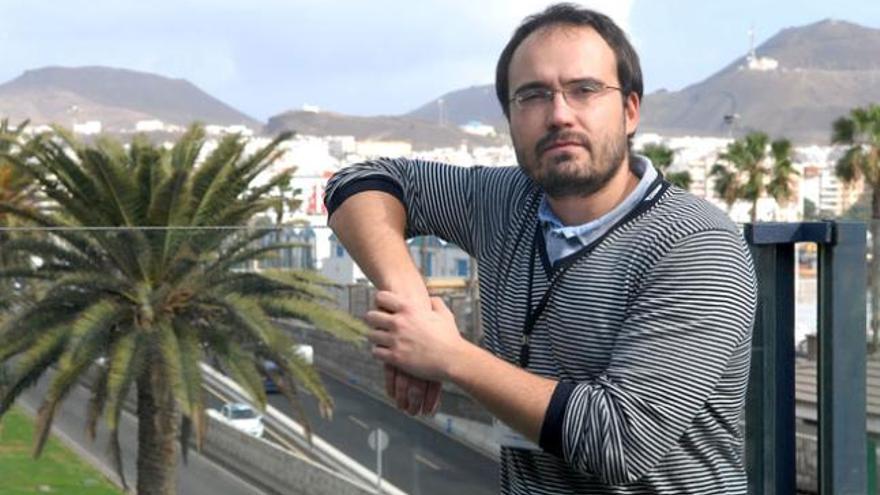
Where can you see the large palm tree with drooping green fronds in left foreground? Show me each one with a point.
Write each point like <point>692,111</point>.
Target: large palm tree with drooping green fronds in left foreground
<point>141,265</point>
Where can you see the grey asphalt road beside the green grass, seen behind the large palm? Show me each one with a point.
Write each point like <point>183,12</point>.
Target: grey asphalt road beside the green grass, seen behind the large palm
<point>199,477</point>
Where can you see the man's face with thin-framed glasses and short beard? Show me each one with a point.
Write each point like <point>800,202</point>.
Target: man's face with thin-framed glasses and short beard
<point>569,151</point>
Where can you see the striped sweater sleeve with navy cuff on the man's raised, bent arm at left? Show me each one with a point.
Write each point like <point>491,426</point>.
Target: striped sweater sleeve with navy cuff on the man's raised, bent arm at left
<point>448,201</point>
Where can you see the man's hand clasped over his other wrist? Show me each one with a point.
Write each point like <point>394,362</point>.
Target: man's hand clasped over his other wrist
<point>416,340</point>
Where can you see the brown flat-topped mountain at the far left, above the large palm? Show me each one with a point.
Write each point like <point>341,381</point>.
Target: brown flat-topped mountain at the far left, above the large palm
<point>116,97</point>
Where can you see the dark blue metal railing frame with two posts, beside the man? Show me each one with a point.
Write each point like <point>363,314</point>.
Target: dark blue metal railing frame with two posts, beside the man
<point>770,406</point>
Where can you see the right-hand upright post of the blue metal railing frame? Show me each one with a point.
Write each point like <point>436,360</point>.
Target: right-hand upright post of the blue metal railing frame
<point>841,383</point>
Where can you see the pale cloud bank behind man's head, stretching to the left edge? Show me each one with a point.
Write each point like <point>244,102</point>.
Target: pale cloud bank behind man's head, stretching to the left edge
<point>262,56</point>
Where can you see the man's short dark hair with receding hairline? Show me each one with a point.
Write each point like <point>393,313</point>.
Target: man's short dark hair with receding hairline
<point>629,71</point>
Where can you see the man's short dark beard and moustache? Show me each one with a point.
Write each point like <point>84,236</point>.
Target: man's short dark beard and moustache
<point>564,175</point>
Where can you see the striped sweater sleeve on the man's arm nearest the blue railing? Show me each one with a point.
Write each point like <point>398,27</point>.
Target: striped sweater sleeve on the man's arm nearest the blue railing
<point>691,319</point>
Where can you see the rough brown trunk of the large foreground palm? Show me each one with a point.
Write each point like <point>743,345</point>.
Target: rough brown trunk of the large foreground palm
<point>157,433</point>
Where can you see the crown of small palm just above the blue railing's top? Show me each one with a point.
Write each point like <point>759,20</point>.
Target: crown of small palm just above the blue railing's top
<point>746,171</point>
